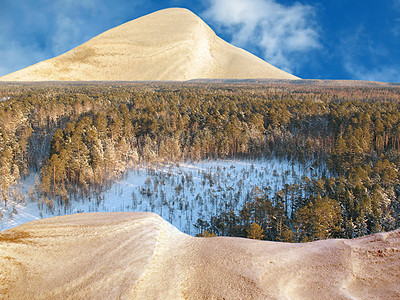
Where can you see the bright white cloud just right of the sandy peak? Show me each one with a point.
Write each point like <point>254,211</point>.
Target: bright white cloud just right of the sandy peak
<point>280,32</point>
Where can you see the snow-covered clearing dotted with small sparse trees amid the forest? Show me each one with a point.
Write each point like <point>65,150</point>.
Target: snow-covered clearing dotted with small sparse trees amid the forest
<point>180,193</point>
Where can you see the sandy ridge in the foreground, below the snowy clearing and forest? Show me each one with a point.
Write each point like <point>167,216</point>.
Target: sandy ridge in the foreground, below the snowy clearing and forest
<point>140,256</point>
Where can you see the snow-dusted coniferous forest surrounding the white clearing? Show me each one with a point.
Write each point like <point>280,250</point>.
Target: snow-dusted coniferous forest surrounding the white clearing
<point>81,137</point>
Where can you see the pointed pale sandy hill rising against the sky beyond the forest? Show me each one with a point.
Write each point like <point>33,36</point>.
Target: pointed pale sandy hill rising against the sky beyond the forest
<point>171,44</point>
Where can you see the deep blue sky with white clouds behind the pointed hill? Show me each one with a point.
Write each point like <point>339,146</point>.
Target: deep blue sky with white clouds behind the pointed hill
<point>331,39</point>
